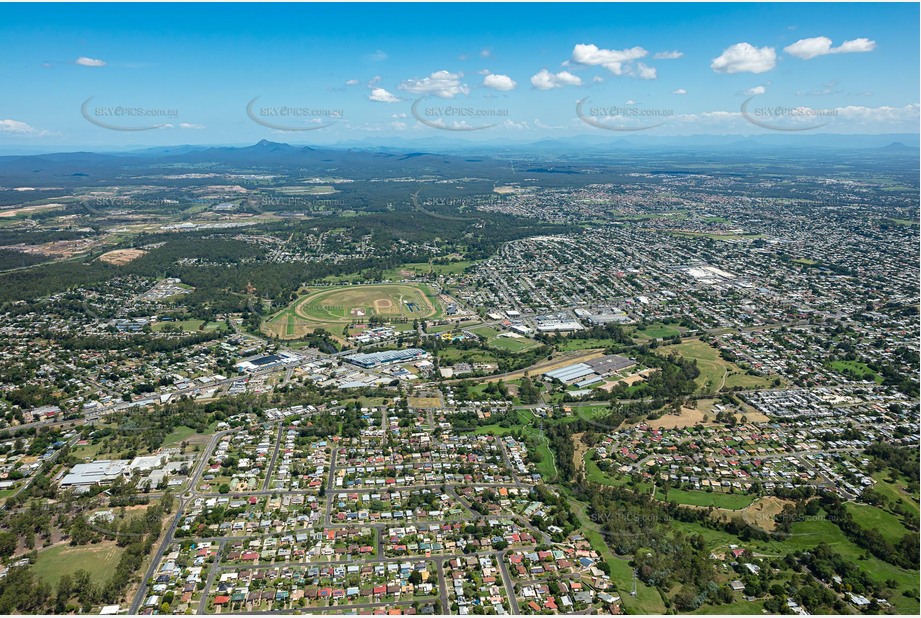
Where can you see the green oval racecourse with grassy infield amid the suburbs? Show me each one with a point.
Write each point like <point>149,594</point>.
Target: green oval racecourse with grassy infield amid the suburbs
<point>335,308</point>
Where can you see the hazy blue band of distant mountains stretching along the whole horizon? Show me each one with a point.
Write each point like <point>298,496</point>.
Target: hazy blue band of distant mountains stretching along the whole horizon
<point>419,159</point>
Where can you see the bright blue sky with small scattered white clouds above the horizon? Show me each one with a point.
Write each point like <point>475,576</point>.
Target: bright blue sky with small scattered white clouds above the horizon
<point>331,73</point>
